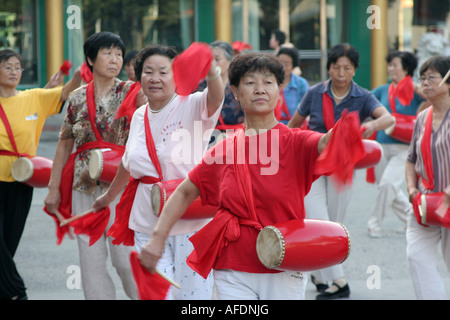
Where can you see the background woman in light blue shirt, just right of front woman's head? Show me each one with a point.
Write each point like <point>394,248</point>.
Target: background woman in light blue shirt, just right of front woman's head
<point>294,87</point>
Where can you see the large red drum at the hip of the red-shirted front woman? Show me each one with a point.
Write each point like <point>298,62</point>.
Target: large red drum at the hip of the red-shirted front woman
<point>303,245</point>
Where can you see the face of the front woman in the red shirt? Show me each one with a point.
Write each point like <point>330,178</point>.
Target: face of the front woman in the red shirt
<point>257,92</point>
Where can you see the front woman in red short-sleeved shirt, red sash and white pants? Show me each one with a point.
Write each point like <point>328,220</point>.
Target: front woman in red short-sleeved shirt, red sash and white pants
<point>255,79</point>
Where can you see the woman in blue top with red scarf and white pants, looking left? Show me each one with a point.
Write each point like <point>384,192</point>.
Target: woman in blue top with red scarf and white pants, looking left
<point>399,98</point>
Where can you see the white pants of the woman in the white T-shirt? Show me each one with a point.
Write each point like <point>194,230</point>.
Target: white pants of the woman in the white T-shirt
<point>173,264</point>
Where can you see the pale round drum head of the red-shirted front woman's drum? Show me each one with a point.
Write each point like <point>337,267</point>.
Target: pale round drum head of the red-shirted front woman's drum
<point>270,247</point>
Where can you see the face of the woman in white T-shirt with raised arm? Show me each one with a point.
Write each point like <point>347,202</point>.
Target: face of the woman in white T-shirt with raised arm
<point>157,78</point>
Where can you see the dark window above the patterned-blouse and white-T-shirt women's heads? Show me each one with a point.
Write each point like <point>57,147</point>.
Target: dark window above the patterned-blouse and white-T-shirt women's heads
<point>142,22</point>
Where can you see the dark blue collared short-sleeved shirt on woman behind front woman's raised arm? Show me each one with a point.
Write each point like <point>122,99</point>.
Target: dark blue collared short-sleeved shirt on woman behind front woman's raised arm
<point>358,99</point>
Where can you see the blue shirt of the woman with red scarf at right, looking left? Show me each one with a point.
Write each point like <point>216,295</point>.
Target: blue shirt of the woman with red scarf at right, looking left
<point>382,94</point>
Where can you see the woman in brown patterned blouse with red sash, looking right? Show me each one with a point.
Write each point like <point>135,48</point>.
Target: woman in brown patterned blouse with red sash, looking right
<point>91,122</point>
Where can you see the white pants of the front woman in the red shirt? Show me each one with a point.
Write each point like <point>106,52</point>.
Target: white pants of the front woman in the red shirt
<point>237,285</point>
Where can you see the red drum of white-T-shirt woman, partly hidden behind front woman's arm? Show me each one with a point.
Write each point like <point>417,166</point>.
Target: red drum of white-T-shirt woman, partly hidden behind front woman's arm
<point>161,192</point>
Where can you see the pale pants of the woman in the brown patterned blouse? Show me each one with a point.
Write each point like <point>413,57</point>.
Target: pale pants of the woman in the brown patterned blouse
<point>96,281</point>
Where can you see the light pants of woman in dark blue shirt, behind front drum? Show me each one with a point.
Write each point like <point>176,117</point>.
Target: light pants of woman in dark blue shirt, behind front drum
<point>324,202</point>
